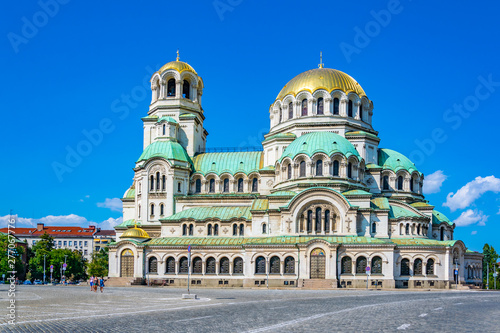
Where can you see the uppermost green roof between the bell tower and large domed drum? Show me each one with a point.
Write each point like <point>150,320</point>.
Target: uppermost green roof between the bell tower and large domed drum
<point>233,162</point>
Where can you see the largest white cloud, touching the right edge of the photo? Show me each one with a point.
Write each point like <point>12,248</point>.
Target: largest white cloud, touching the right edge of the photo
<point>472,191</point>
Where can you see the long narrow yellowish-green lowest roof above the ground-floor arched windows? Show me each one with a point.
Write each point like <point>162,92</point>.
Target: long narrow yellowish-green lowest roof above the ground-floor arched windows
<point>279,240</point>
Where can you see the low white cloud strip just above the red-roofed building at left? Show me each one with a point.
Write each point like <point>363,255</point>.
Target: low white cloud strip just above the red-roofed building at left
<point>70,220</point>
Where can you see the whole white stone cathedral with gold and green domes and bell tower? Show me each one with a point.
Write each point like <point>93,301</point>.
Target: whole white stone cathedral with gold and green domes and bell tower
<point>320,205</point>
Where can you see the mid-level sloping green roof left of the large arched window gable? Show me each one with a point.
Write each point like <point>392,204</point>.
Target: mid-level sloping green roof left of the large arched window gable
<point>224,213</point>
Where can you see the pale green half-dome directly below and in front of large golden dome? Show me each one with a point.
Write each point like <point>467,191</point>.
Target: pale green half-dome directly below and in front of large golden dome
<point>324,142</point>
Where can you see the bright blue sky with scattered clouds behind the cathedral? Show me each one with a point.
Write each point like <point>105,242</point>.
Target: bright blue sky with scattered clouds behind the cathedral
<point>67,67</point>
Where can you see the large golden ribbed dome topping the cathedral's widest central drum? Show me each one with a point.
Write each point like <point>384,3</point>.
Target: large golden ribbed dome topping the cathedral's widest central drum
<point>321,78</point>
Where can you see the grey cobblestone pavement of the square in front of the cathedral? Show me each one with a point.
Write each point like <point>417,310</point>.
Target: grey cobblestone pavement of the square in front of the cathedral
<point>146,309</point>
